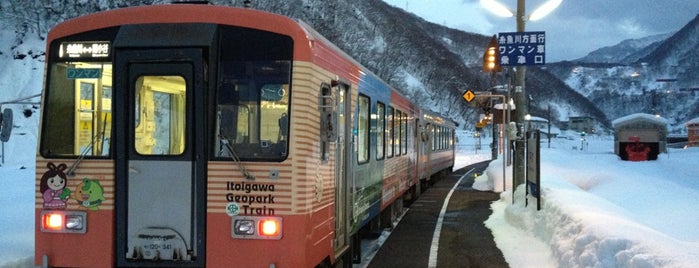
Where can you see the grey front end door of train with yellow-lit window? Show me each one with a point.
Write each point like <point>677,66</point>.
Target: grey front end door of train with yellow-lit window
<point>160,172</point>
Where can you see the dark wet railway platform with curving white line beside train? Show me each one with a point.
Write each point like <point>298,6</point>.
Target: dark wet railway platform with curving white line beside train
<point>461,239</point>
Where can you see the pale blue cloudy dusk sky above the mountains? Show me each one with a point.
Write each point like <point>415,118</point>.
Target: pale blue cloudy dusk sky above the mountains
<point>574,29</point>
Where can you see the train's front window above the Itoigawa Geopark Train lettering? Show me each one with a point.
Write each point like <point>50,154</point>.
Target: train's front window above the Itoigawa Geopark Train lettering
<point>252,111</point>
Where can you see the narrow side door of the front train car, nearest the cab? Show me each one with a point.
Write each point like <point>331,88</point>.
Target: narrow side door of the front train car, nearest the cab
<point>342,155</point>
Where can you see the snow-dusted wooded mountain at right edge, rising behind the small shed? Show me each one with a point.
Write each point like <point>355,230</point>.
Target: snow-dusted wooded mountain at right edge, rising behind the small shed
<point>659,78</point>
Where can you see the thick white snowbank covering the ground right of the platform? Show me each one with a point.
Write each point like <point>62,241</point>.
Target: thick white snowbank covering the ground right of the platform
<point>600,211</point>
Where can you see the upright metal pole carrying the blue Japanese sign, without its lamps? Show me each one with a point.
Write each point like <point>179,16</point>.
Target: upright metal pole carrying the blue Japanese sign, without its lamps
<point>520,103</point>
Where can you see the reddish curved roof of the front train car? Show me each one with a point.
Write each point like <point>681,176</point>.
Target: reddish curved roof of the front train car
<point>318,48</point>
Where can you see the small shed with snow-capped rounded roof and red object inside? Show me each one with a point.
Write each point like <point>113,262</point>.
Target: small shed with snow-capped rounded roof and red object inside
<point>640,136</point>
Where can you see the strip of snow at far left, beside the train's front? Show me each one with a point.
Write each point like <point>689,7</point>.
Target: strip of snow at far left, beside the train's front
<point>18,79</point>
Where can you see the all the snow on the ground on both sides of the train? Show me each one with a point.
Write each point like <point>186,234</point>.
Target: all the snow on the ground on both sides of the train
<point>597,210</point>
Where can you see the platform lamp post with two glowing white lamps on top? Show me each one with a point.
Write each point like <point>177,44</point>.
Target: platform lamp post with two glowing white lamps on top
<point>519,95</point>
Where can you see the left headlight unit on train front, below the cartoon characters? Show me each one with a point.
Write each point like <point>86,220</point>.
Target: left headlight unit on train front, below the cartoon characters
<point>63,221</point>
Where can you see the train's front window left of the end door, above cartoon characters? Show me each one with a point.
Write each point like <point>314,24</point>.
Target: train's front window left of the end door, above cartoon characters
<point>77,110</point>
